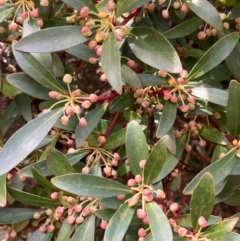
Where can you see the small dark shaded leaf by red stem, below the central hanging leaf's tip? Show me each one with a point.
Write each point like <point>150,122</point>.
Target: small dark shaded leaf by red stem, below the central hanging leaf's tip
<point>122,102</point>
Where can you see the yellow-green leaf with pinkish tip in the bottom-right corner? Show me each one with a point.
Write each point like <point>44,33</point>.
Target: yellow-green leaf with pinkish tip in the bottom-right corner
<point>220,230</point>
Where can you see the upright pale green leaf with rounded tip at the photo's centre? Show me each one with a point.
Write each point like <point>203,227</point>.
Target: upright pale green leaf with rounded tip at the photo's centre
<point>136,146</point>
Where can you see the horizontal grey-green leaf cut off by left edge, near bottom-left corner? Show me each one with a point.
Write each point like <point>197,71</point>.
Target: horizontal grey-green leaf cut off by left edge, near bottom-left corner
<point>16,215</point>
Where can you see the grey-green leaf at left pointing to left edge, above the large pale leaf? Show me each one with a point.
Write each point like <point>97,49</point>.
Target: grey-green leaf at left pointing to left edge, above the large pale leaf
<point>28,85</point>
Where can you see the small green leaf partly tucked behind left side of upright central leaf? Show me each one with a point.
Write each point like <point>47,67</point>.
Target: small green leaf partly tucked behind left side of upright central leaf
<point>116,139</point>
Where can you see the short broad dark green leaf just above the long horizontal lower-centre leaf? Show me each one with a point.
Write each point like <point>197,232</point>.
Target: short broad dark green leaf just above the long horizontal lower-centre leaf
<point>57,163</point>
